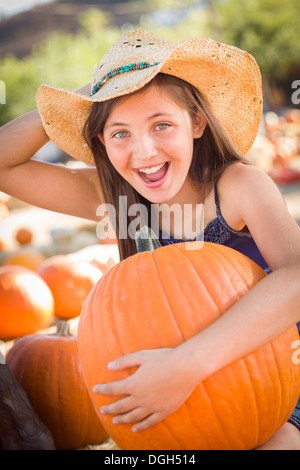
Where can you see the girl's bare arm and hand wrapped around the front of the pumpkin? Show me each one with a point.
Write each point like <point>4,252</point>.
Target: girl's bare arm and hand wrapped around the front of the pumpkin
<point>166,377</point>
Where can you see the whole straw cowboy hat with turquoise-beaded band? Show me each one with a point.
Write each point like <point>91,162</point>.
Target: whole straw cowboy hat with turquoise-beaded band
<point>229,78</point>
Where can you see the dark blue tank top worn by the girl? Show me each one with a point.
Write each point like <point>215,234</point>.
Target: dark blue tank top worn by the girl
<point>216,231</point>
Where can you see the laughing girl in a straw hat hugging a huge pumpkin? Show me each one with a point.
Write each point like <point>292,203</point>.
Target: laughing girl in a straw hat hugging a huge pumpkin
<point>169,124</point>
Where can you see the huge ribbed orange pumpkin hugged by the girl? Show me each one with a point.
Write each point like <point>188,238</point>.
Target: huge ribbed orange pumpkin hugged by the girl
<point>160,299</point>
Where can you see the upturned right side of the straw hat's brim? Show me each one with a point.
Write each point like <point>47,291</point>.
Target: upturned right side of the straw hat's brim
<point>230,80</point>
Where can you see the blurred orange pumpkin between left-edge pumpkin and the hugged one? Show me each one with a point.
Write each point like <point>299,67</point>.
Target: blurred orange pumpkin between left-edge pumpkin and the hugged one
<point>70,282</point>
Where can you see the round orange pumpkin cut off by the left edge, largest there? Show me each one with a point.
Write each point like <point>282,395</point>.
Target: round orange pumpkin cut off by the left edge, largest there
<point>26,302</point>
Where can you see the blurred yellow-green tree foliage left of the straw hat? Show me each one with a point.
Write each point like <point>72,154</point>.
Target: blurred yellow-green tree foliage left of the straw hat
<point>63,60</point>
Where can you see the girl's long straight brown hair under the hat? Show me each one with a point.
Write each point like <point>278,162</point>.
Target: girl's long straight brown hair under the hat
<point>213,152</point>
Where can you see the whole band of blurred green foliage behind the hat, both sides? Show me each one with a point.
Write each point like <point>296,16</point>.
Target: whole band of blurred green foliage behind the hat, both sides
<point>268,29</point>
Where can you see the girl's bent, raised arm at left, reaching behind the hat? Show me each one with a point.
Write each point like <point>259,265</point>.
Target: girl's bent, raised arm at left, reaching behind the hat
<point>71,191</point>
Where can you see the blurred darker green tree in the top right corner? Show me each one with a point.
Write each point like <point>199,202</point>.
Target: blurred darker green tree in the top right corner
<point>267,29</point>
